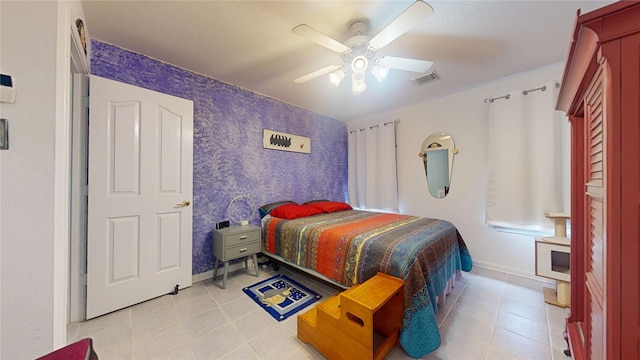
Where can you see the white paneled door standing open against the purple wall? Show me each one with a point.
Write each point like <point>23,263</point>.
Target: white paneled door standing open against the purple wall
<point>140,189</point>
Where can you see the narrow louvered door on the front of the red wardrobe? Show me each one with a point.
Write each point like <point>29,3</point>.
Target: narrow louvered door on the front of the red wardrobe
<point>595,146</point>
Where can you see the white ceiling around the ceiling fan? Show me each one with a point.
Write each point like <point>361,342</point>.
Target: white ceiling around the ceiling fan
<point>250,44</point>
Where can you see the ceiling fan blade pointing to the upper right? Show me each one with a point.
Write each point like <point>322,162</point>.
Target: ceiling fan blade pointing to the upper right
<point>413,15</point>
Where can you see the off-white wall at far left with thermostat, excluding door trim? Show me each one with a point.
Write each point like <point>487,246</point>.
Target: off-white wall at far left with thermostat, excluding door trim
<point>29,54</point>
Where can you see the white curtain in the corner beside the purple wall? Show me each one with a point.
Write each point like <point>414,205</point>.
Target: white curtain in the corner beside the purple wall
<point>373,183</point>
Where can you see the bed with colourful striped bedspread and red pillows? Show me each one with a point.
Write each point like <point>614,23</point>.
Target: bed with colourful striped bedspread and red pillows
<point>347,247</point>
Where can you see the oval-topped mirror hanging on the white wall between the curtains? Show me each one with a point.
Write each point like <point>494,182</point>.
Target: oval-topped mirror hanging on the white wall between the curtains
<point>437,155</point>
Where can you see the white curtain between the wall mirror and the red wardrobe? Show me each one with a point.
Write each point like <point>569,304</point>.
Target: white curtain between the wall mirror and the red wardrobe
<point>525,144</point>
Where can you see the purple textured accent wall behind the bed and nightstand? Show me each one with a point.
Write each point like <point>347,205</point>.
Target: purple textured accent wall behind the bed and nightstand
<point>228,157</point>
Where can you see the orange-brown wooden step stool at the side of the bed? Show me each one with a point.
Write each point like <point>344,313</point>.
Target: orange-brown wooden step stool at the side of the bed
<point>342,327</point>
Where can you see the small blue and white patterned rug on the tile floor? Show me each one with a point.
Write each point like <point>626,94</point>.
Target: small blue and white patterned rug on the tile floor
<point>281,297</point>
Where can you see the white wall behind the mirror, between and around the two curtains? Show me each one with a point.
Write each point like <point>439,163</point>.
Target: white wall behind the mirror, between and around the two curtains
<point>461,115</point>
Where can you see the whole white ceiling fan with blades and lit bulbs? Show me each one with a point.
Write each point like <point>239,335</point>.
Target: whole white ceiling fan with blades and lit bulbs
<point>359,53</point>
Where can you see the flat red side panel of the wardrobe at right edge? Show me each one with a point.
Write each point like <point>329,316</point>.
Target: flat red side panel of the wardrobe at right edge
<point>630,146</point>
